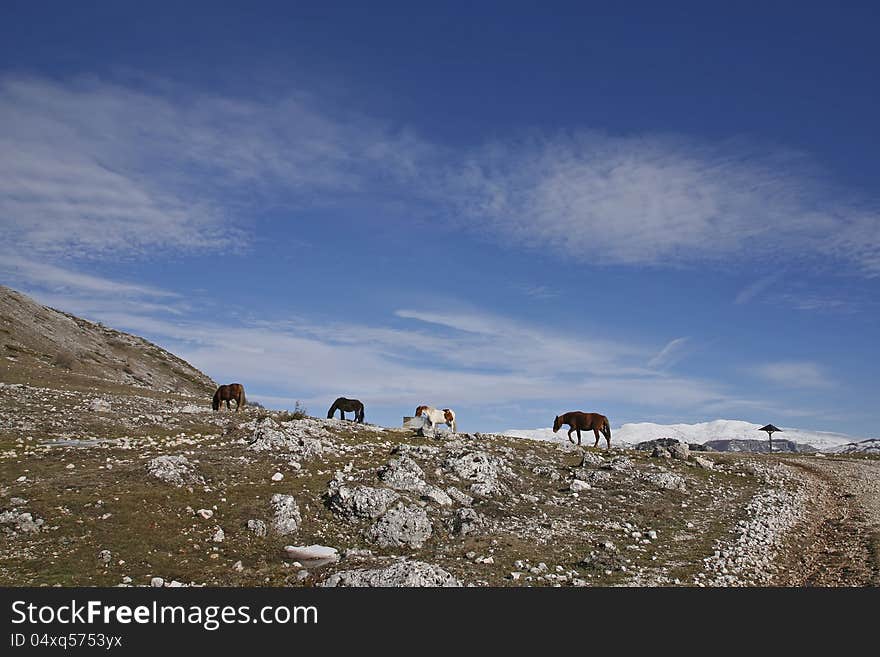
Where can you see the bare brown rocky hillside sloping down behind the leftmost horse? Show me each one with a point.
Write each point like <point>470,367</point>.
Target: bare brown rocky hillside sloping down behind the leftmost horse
<point>40,345</point>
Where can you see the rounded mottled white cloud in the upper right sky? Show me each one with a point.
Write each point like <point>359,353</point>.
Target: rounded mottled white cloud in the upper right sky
<point>664,201</point>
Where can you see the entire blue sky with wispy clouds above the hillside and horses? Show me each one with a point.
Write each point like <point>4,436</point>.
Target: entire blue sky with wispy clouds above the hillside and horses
<point>664,214</point>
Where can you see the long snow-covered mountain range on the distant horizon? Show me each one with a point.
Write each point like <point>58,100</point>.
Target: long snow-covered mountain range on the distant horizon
<point>633,433</point>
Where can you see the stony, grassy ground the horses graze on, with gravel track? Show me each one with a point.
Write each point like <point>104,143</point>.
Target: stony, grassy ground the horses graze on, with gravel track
<point>109,486</point>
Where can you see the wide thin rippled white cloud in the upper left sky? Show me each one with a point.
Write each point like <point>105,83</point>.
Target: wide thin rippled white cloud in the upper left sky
<point>96,169</point>
